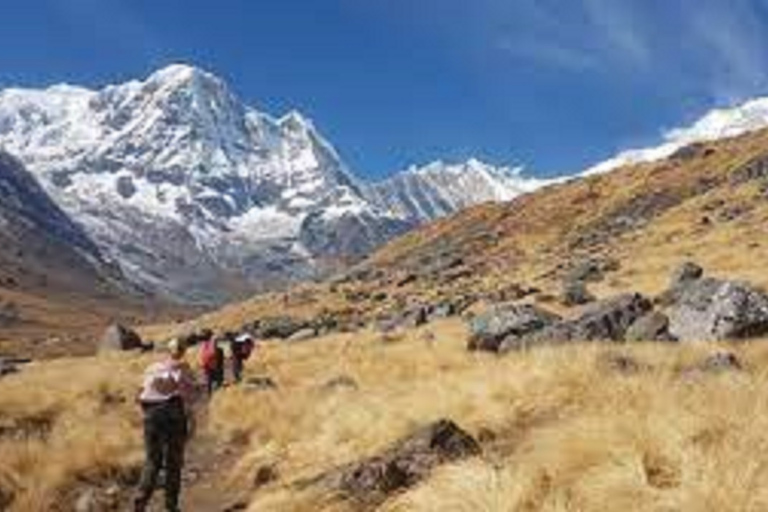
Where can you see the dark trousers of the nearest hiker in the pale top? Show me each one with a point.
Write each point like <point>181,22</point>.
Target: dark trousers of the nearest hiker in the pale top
<point>165,434</point>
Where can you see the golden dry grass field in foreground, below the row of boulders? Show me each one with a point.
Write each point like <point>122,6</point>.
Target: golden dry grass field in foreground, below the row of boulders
<point>561,428</point>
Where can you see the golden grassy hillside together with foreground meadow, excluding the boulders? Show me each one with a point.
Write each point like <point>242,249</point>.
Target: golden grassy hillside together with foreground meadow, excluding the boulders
<point>564,428</point>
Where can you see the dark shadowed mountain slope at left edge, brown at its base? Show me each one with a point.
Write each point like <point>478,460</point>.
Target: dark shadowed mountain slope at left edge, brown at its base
<point>56,290</point>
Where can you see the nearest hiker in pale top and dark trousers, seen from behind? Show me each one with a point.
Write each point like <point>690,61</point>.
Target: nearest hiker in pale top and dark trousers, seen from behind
<point>166,398</point>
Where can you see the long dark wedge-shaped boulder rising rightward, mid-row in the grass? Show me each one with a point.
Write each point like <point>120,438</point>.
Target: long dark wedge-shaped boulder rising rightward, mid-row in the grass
<point>607,320</point>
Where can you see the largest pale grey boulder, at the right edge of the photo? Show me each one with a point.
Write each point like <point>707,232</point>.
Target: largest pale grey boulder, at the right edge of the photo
<point>711,309</point>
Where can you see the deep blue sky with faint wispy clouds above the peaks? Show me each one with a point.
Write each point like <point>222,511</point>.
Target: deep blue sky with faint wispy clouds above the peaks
<point>554,85</point>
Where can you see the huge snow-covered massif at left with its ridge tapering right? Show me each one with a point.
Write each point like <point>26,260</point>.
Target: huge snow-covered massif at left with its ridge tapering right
<point>196,195</point>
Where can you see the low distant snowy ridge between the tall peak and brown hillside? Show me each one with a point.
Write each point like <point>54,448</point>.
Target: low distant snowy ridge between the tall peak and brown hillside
<point>422,194</point>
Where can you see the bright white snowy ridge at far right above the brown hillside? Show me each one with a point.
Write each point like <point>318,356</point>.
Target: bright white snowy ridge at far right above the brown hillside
<point>716,124</point>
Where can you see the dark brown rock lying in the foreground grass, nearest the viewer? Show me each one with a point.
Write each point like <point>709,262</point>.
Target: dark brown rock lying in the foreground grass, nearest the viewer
<point>404,464</point>
